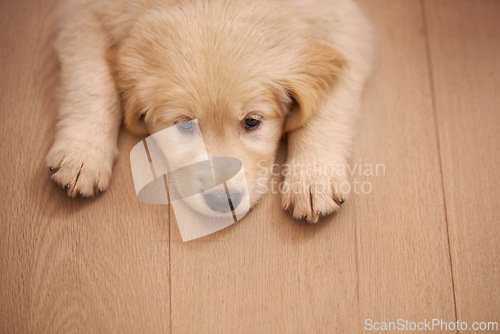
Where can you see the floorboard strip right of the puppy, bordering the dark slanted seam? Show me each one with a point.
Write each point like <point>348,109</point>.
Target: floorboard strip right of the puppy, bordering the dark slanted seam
<point>404,263</point>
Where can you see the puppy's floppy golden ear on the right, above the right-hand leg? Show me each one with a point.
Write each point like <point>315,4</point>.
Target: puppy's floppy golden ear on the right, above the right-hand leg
<point>312,81</point>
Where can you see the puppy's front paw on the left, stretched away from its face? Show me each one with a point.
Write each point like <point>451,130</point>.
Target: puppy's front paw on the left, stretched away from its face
<point>81,168</point>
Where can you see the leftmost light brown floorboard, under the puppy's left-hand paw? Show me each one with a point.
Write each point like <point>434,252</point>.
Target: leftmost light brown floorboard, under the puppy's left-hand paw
<point>67,265</point>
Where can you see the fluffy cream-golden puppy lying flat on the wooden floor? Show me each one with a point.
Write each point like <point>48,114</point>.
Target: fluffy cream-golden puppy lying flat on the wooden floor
<point>249,71</point>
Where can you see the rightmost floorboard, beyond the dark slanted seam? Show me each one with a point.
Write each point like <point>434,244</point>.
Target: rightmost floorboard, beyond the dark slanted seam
<point>464,39</point>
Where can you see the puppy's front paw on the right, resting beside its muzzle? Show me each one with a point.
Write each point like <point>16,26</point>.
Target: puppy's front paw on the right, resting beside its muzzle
<point>313,193</point>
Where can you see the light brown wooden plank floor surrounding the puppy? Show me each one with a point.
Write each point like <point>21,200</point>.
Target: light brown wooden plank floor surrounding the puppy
<point>424,244</point>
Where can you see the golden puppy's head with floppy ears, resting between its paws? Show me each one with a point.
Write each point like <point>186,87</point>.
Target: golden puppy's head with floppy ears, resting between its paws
<point>248,73</point>
